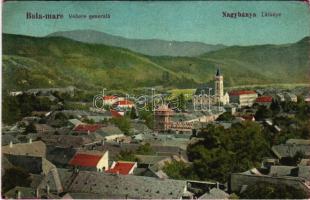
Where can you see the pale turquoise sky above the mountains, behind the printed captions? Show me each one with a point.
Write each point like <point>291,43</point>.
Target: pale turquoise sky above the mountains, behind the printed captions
<point>180,21</point>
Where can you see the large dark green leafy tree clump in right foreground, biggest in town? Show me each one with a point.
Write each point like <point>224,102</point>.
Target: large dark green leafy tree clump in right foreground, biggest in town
<point>224,151</point>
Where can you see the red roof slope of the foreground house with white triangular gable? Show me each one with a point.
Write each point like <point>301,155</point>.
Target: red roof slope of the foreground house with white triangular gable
<point>85,160</point>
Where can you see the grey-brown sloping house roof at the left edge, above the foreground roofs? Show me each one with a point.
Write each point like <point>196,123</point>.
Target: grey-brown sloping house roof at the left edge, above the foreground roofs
<point>37,148</point>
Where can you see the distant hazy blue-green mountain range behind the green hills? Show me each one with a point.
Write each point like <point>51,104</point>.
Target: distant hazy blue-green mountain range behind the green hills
<point>151,47</point>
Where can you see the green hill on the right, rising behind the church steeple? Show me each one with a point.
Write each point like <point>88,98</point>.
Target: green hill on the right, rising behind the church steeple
<point>247,65</point>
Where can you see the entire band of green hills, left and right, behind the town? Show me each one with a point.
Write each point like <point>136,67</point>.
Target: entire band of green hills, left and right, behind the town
<point>30,62</point>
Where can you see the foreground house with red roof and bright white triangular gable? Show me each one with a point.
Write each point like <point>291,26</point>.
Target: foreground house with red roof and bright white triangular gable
<point>90,160</point>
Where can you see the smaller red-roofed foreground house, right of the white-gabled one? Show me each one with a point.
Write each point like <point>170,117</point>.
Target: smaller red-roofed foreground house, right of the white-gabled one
<point>122,167</point>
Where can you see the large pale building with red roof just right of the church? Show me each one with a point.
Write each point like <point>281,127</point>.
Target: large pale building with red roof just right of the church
<point>243,97</point>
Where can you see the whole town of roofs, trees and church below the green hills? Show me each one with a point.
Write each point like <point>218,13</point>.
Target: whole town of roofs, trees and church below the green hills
<point>211,142</point>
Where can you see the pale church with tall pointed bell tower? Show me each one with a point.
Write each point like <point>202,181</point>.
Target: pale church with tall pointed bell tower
<point>211,95</point>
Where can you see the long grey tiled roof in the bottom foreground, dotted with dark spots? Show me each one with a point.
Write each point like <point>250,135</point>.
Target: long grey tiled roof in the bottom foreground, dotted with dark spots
<point>135,187</point>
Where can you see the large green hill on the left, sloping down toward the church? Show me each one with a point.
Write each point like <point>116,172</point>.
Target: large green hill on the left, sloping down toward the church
<point>30,62</point>
